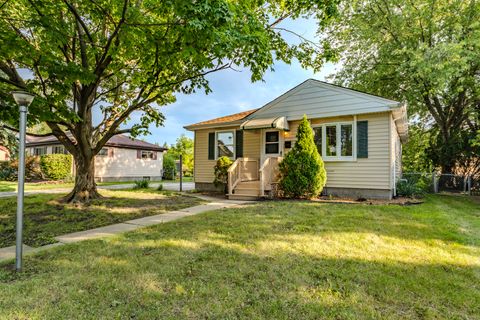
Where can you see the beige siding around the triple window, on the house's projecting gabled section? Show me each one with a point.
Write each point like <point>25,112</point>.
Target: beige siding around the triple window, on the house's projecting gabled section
<point>372,172</point>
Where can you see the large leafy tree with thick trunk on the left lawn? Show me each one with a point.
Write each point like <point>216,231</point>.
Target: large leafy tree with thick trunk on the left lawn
<point>117,57</point>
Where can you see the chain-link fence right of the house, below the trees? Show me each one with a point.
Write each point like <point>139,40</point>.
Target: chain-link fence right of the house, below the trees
<point>450,183</point>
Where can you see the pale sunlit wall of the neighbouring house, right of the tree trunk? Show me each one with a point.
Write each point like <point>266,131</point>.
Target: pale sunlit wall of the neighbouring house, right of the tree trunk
<point>124,163</point>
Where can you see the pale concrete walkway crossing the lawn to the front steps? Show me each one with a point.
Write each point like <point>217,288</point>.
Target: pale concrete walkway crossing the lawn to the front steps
<point>214,204</point>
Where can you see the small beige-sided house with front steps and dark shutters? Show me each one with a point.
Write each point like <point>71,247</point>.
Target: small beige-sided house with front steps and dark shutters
<point>358,135</point>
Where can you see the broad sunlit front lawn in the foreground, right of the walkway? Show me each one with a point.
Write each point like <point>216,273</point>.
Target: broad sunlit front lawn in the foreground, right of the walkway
<point>273,260</point>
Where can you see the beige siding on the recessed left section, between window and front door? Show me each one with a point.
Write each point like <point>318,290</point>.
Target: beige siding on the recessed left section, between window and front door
<point>204,167</point>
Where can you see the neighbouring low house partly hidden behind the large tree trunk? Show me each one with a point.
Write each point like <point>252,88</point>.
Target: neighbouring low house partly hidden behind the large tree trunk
<point>121,159</point>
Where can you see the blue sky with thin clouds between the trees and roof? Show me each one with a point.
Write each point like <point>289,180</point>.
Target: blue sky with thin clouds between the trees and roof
<point>232,91</point>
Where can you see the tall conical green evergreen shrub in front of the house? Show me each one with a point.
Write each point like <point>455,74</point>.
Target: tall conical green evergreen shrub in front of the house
<point>302,172</point>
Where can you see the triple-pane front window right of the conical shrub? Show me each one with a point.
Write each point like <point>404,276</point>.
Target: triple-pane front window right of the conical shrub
<point>334,141</point>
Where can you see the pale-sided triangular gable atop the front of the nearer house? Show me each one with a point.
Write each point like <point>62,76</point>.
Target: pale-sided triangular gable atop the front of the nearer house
<point>319,99</point>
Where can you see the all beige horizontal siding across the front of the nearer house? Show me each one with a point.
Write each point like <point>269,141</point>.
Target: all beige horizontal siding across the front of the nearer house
<point>370,173</point>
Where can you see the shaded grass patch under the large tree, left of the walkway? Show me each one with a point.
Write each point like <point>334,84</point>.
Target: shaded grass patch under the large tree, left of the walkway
<point>46,217</point>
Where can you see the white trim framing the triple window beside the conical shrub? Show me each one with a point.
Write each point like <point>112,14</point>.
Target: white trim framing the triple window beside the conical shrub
<point>338,125</point>
